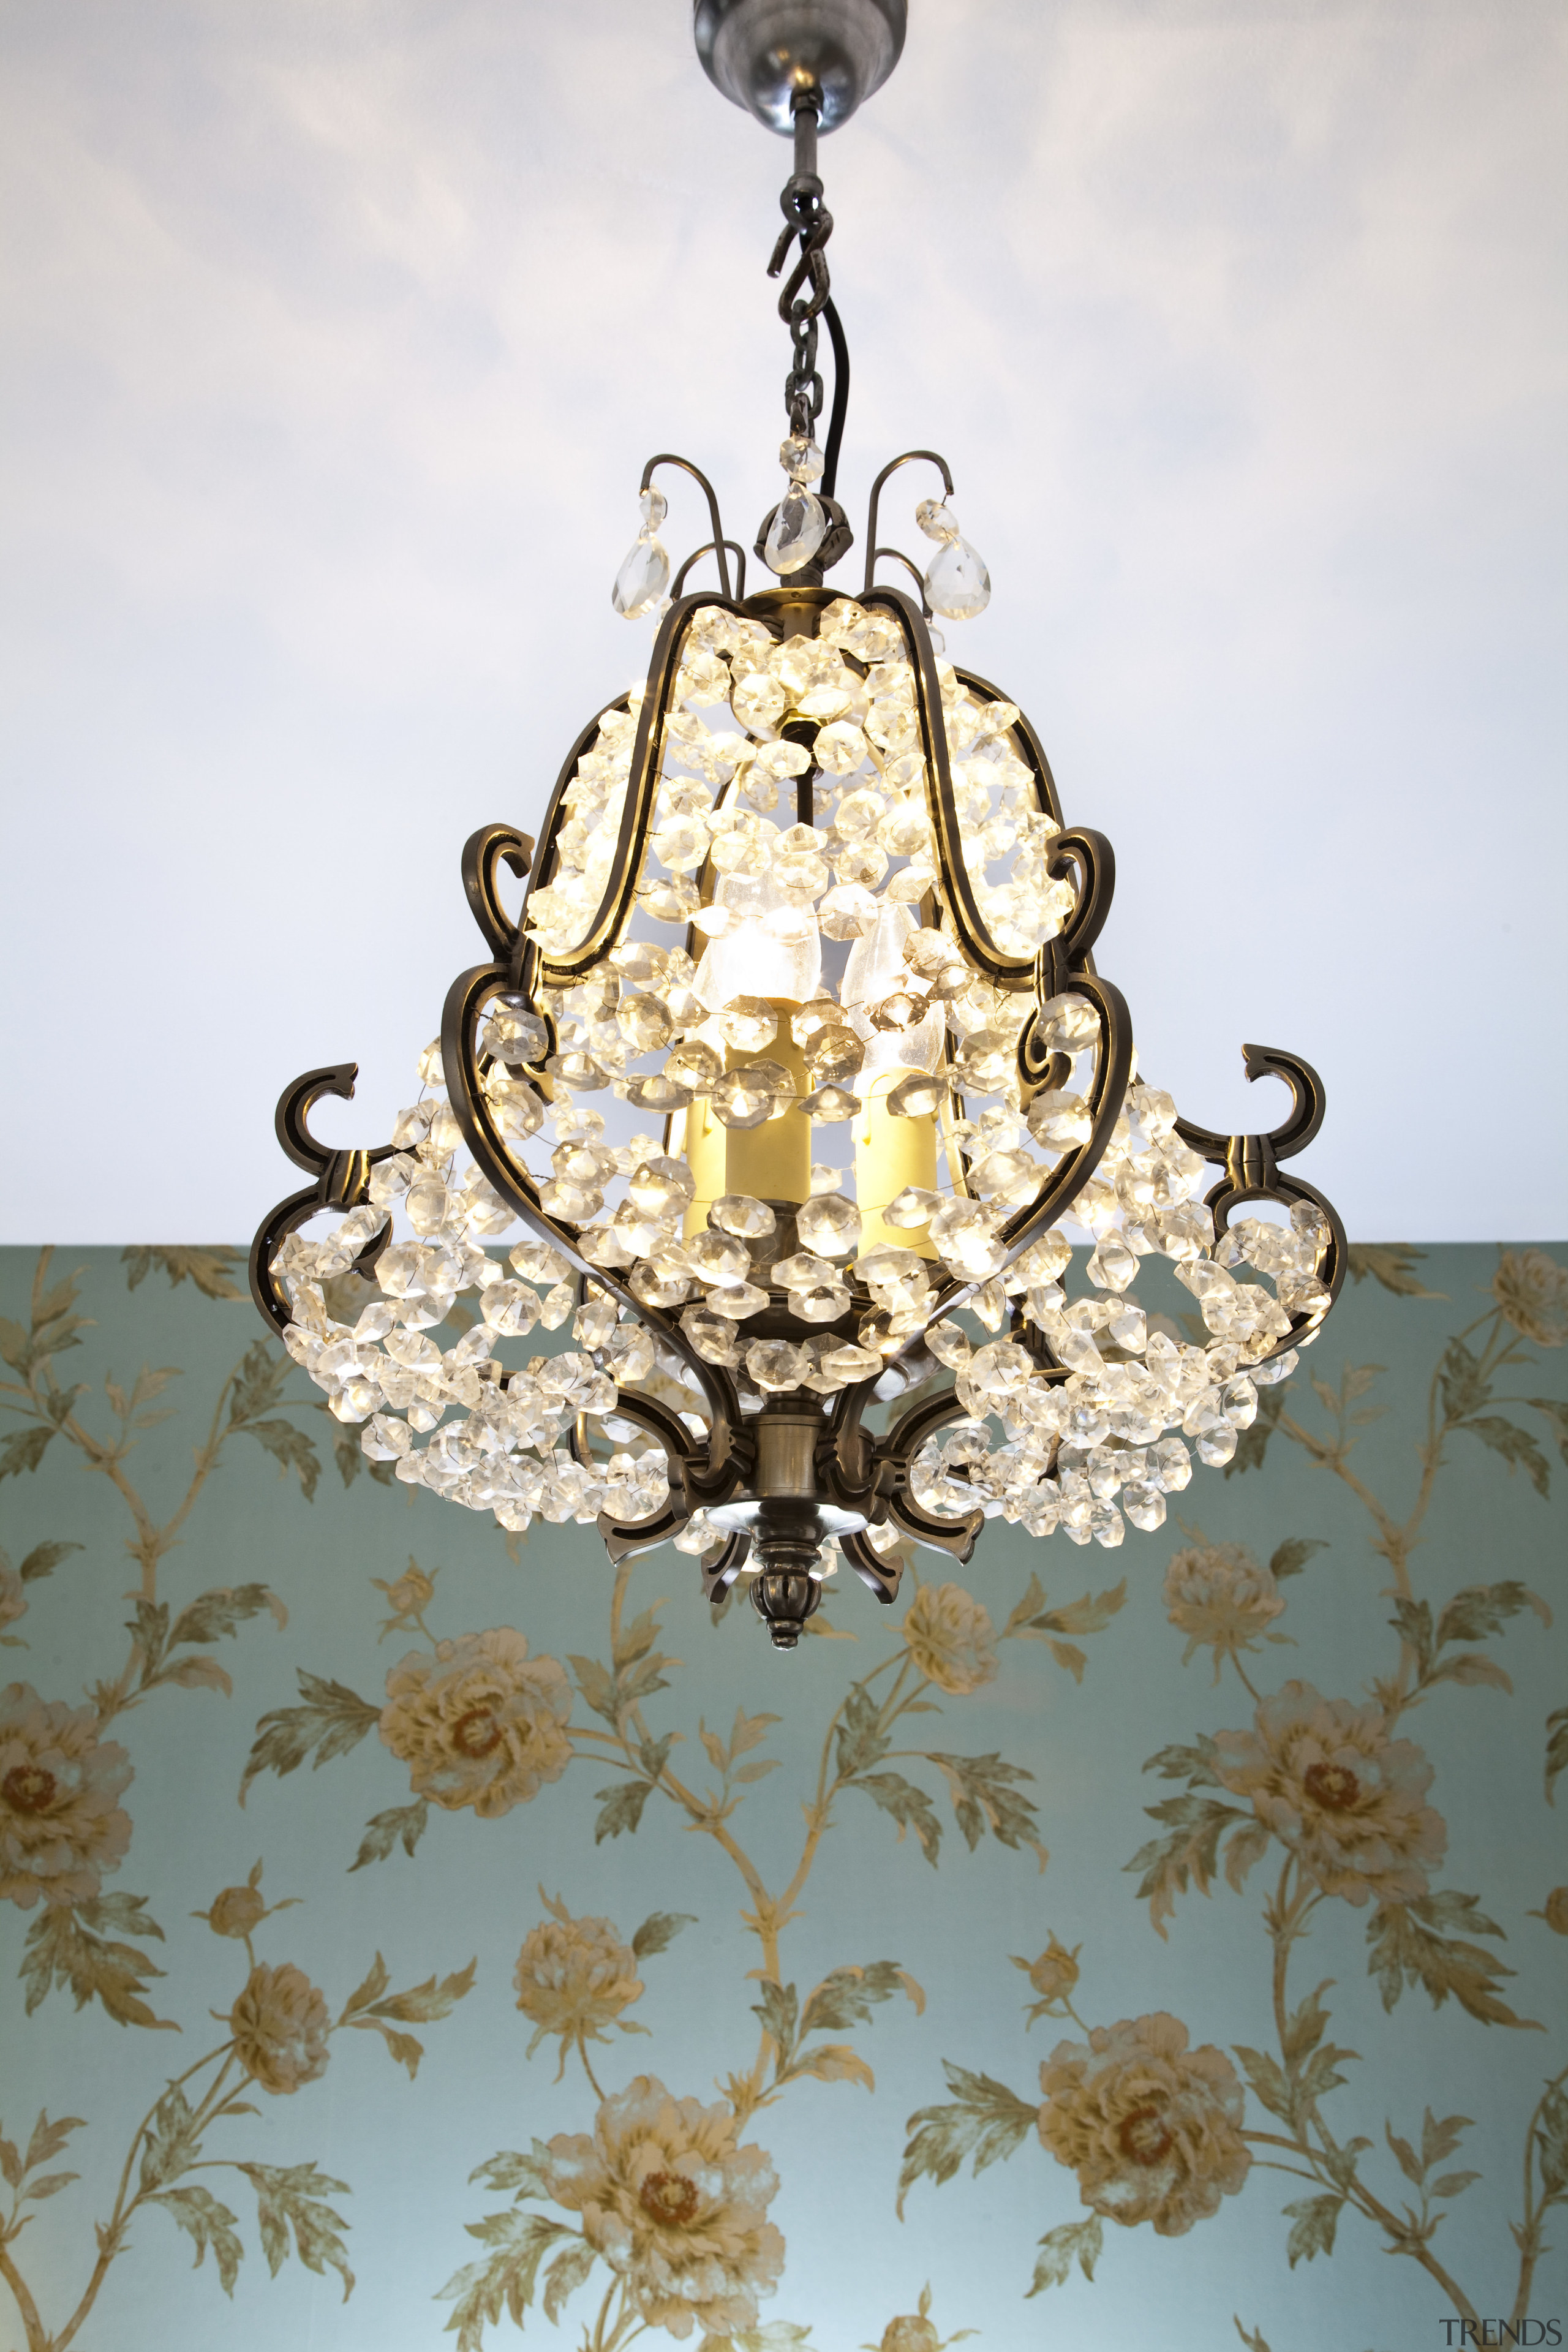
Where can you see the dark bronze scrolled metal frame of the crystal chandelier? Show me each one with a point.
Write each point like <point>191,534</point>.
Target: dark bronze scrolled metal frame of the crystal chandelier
<point>855,1469</point>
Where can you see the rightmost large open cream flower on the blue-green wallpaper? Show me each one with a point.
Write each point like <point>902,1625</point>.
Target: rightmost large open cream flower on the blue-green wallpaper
<point>1329,1782</point>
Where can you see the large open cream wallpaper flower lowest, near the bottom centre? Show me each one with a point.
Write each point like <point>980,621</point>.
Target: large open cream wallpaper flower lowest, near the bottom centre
<point>676,2207</point>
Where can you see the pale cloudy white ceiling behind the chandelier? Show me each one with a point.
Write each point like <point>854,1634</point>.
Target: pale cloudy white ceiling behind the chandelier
<point>335,340</point>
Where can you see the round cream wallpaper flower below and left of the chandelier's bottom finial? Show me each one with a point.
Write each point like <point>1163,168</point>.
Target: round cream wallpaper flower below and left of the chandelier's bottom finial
<point>478,1723</point>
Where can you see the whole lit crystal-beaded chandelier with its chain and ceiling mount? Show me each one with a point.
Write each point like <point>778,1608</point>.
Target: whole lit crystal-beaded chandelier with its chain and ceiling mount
<point>793,1090</point>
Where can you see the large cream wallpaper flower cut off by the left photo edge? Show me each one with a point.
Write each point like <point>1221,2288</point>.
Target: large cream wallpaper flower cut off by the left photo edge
<point>60,1824</point>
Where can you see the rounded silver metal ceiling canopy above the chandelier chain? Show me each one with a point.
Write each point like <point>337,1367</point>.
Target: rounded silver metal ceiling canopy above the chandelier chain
<point>768,55</point>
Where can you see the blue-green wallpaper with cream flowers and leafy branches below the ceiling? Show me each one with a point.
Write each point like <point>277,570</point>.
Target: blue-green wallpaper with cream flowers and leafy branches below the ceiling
<point>420,1937</point>
